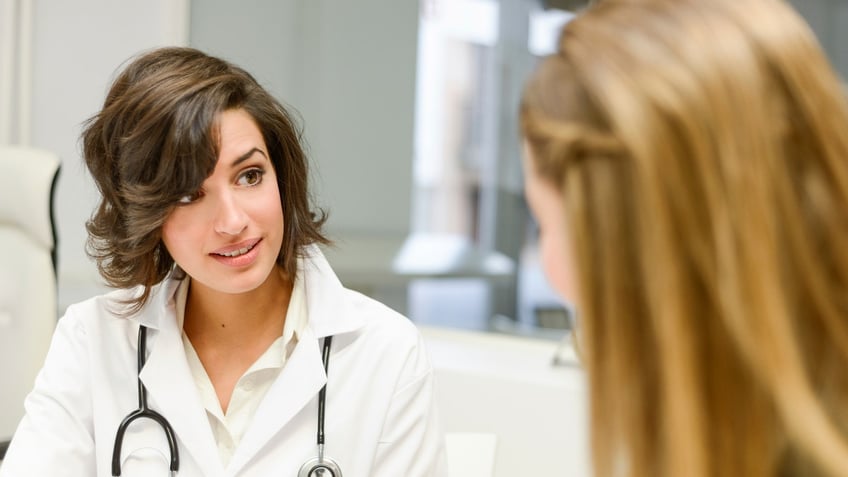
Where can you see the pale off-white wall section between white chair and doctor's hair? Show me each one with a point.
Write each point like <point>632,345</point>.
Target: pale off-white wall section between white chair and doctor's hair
<point>77,47</point>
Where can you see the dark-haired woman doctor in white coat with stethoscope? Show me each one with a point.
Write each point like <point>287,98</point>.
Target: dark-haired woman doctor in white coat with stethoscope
<point>228,322</point>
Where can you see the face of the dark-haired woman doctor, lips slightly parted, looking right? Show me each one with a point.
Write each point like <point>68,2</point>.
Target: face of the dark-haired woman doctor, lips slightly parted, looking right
<point>228,234</point>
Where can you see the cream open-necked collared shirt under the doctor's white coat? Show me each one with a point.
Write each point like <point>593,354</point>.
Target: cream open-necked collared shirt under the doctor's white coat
<point>228,428</point>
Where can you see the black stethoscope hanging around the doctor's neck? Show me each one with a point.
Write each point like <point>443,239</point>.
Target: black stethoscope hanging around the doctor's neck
<point>320,466</point>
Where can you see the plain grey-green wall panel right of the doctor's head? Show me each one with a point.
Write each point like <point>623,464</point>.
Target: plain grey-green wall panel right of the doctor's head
<point>349,68</point>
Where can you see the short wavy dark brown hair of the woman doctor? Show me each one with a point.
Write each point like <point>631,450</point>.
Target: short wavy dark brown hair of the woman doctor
<point>155,141</point>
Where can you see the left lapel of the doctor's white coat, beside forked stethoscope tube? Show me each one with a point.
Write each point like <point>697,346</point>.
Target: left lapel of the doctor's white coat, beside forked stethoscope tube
<point>171,390</point>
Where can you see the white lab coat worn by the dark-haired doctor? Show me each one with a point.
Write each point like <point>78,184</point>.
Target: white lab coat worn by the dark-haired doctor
<point>380,410</point>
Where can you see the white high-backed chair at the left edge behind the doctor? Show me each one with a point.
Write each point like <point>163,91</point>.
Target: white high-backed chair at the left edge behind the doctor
<point>28,296</point>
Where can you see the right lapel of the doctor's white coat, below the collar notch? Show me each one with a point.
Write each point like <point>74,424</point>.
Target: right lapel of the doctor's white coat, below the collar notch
<point>299,382</point>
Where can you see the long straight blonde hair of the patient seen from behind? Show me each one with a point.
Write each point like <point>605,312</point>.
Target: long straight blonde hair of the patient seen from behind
<point>701,147</point>
